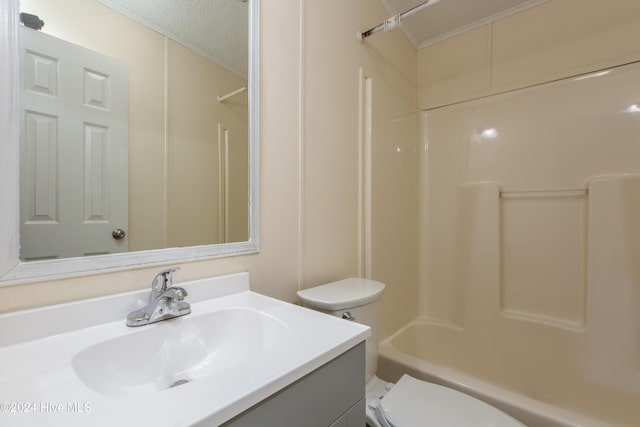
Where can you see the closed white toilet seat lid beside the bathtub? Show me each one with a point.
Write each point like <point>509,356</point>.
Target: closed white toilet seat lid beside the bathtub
<point>414,403</point>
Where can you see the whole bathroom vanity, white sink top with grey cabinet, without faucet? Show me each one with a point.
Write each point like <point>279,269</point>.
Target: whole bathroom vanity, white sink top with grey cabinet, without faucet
<point>238,359</point>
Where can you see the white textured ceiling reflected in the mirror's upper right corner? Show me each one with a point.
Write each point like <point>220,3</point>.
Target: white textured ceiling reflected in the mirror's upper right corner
<point>216,28</point>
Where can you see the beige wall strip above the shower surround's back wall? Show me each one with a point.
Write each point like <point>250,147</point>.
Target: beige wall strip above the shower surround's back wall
<point>551,41</point>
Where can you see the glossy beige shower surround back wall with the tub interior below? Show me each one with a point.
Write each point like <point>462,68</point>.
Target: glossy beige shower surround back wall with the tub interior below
<point>531,241</point>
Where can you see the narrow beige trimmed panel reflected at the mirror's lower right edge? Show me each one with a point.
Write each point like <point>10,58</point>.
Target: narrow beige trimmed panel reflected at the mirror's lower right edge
<point>236,185</point>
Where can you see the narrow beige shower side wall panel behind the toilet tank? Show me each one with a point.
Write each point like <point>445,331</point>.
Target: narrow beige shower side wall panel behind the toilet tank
<point>394,217</point>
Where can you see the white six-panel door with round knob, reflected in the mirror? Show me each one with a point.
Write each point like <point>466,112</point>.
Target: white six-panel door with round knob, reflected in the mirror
<point>74,140</point>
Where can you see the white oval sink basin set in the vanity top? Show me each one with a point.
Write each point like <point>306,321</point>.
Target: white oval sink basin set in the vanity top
<point>176,352</point>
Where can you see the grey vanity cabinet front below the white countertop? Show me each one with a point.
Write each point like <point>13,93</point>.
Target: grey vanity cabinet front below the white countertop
<point>330,396</point>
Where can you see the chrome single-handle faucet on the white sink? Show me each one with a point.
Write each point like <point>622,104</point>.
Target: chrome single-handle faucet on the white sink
<point>165,301</point>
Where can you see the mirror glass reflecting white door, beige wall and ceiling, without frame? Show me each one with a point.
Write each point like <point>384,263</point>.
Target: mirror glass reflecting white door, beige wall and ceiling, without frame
<point>175,160</point>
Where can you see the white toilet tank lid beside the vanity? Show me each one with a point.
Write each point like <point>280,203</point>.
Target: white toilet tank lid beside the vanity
<point>342,294</point>
